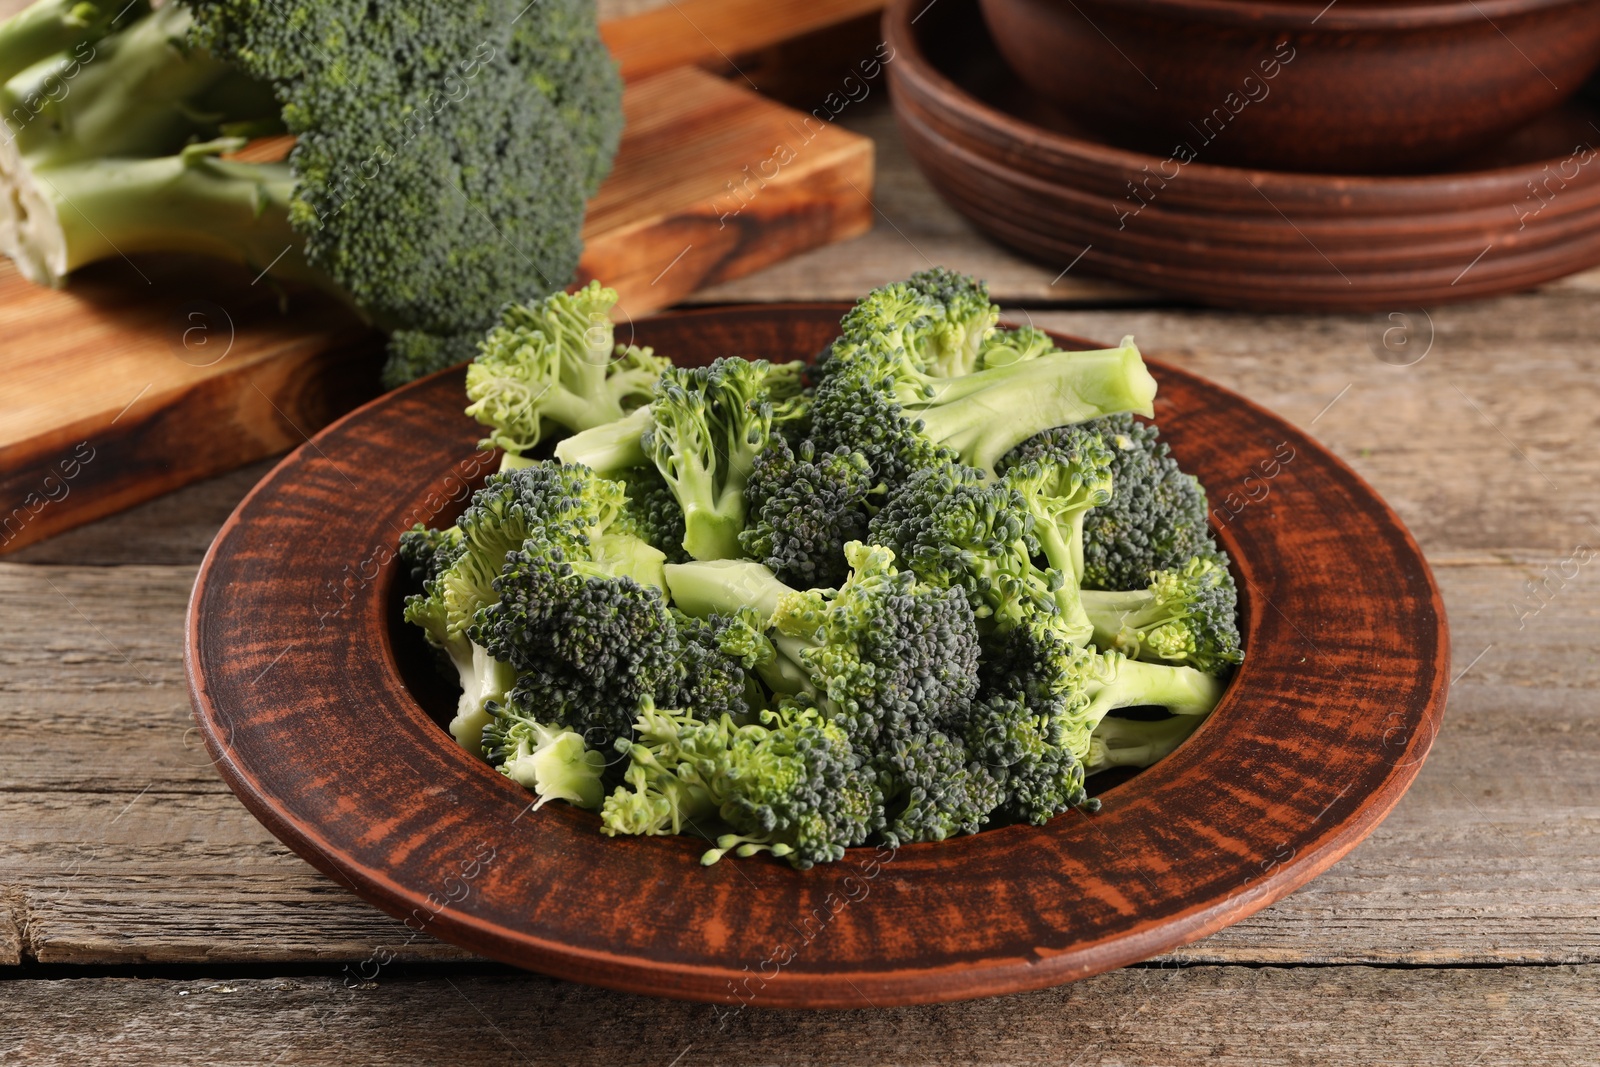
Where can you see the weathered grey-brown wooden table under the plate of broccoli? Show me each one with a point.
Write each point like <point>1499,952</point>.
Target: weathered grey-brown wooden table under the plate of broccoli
<point>146,917</point>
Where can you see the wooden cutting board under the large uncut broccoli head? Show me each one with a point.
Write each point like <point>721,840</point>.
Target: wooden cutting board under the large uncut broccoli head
<point>153,374</point>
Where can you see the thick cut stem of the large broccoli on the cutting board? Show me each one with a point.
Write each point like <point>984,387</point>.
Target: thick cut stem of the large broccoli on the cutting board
<point>190,202</point>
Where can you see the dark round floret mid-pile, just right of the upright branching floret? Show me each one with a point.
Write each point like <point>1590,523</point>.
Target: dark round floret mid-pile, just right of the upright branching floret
<point>804,510</point>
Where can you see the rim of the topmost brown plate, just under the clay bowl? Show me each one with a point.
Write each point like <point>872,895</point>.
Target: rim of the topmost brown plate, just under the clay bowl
<point>921,76</point>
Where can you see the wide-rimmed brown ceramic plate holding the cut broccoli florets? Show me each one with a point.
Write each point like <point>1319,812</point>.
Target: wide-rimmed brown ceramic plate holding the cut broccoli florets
<point>322,716</point>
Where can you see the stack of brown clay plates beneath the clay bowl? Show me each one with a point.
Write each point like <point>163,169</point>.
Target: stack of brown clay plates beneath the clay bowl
<point>1521,214</point>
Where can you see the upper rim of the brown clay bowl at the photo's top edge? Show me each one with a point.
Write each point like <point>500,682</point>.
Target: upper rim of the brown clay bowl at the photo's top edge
<point>1338,17</point>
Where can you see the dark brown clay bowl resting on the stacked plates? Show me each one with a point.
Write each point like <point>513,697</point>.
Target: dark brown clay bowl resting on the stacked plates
<point>1348,87</point>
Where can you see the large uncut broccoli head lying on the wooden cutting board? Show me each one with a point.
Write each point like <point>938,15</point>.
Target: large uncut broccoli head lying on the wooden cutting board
<point>439,172</point>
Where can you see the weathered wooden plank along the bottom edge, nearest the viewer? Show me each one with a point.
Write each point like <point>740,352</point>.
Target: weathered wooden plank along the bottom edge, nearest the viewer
<point>1350,1017</point>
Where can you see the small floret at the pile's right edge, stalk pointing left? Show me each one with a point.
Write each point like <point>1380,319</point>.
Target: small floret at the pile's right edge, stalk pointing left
<point>1185,617</point>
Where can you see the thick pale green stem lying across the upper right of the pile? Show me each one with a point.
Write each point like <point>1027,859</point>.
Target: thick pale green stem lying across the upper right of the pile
<point>990,414</point>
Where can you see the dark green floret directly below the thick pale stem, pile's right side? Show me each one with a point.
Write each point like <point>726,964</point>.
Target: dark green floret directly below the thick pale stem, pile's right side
<point>1156,519</point>
